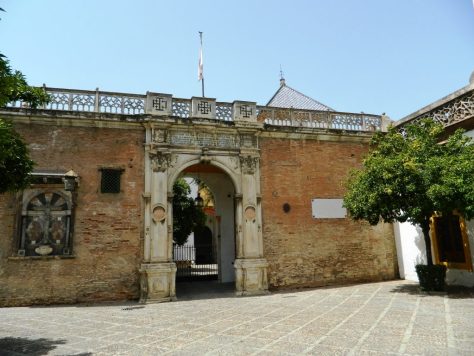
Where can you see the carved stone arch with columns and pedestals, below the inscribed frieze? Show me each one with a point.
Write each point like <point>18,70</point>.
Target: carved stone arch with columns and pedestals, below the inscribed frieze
<point>158,271</point>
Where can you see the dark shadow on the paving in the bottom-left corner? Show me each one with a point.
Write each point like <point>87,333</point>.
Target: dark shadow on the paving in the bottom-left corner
<point>22,346</point>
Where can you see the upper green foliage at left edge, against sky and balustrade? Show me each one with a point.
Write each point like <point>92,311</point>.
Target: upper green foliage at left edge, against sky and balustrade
<point>13,86</point>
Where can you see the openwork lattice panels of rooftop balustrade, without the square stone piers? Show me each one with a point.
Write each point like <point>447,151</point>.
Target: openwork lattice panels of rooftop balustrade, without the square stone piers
<point>136,104</point>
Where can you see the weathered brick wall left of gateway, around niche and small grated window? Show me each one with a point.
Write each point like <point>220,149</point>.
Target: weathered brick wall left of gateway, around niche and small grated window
<point>107,242</point>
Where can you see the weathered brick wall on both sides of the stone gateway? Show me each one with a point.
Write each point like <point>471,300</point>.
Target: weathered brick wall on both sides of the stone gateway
<point>107,246</point>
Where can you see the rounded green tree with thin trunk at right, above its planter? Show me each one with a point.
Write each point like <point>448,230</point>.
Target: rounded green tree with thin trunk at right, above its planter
<point>410,176</point>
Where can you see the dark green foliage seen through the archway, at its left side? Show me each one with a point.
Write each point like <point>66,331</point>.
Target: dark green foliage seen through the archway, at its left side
<point>186,216</point>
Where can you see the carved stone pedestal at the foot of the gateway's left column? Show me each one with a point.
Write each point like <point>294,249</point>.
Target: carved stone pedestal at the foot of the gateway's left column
<point>157,282</point>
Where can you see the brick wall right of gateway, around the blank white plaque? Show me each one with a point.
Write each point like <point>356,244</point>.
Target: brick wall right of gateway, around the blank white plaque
<point>303,251</point>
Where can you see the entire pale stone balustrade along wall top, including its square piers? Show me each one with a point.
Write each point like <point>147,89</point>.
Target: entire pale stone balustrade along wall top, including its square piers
<point>204,108</point>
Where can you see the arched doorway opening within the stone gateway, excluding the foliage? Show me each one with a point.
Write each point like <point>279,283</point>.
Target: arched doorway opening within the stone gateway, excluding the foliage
<point>208,254</point>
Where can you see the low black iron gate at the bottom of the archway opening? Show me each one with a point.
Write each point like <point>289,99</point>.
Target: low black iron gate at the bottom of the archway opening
<point>195,262</point>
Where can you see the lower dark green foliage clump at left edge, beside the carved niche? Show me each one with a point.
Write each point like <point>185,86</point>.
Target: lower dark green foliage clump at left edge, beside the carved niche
<point>15,164</point>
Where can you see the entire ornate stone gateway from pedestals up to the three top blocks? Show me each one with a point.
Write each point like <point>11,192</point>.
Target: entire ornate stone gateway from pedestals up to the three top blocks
<point>170,148</point>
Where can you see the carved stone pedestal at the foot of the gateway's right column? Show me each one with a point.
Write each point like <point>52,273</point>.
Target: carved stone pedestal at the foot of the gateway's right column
<point>251,276</point>
